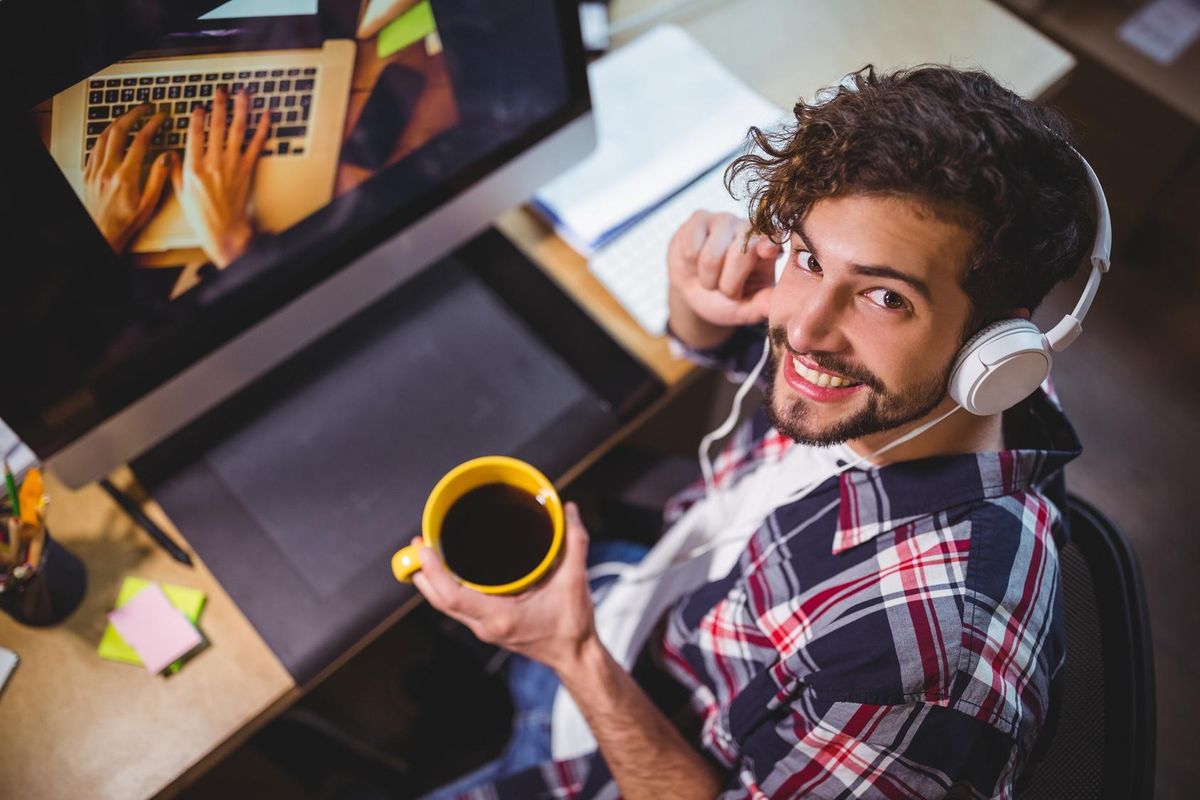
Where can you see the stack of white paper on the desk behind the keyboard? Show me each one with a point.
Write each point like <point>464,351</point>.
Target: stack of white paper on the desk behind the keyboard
<point>667,112</point>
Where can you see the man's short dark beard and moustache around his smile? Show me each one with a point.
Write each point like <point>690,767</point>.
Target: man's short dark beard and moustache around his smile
<point>885,408</point>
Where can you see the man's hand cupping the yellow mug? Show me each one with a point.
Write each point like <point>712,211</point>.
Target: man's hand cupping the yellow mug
<point>550,623</point>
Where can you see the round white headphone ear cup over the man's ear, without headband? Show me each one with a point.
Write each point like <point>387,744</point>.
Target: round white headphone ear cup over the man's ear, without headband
<point>1000,366</point>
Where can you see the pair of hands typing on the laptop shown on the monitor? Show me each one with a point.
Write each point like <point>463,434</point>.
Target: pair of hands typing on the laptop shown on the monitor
<point>213,178</point>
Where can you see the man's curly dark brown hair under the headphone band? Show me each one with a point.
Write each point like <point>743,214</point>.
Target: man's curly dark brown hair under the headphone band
<point>957,142</point>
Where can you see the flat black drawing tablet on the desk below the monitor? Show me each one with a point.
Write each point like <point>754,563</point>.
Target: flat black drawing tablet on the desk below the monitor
<point>297,491</point>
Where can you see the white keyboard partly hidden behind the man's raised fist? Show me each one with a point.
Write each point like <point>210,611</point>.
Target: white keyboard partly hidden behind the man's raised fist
<point>634,267</point>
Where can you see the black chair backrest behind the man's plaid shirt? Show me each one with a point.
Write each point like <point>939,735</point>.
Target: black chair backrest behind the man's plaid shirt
<point>1102,745</point>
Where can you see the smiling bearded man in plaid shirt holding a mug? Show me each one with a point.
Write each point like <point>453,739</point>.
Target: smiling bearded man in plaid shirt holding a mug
<point>895,633</point>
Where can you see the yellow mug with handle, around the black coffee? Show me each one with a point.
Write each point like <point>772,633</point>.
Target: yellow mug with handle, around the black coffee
<point>471,476</point>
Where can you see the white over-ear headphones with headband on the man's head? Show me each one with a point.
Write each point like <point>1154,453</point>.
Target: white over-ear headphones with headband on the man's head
<point>1003,364</point>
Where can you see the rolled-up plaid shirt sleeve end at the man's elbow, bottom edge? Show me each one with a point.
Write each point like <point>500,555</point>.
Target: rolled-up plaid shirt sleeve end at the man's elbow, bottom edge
<point>875,753</point>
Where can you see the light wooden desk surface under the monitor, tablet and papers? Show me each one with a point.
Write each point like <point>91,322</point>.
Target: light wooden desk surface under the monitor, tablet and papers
<point>100,730</point>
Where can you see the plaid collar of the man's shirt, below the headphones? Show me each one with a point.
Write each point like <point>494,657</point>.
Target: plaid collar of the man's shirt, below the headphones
<point>879,500</point>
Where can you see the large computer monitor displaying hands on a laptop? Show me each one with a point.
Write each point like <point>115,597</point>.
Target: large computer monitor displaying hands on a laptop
<point>160,258</point>
